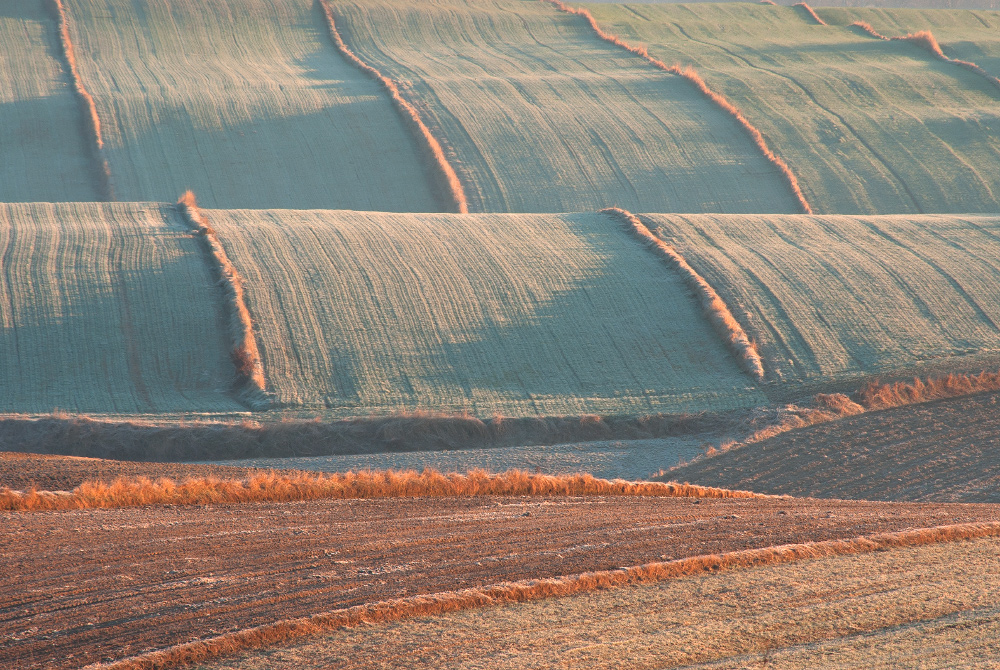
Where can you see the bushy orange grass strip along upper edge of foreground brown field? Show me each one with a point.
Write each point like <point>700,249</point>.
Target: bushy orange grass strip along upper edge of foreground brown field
<point>272,487</point>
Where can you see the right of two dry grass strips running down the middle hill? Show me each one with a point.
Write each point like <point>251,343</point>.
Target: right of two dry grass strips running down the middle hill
<point>722,320</point>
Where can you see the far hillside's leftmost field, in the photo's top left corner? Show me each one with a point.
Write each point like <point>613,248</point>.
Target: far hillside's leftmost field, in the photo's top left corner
<point>46,156</point>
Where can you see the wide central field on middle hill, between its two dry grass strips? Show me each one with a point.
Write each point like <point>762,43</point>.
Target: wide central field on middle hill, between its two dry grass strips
<point>522,315</point>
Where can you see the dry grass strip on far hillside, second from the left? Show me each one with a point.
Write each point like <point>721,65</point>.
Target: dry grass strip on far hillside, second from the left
<point>448,179</point>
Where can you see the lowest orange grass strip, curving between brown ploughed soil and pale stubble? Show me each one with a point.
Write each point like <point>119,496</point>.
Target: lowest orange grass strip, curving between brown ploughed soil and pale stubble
<point>535,589</point>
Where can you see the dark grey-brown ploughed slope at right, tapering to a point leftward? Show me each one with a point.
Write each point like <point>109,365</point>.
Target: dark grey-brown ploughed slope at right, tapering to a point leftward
<point>948,451</point>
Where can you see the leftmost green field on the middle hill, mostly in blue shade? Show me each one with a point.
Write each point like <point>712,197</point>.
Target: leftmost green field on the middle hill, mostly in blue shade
<point>107,308</point>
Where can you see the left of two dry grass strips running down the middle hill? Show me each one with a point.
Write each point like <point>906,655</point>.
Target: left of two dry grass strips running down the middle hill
<point>245,355</point>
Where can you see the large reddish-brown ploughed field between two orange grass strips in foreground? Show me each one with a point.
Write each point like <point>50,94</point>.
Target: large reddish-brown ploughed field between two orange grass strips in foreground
<point>93,585</point>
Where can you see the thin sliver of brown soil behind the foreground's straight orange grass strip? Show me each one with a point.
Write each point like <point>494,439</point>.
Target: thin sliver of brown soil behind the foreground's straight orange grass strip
<point>64,473</point>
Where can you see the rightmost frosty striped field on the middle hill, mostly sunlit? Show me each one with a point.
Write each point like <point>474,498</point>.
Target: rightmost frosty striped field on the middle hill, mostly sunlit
<point>831,295</point>
